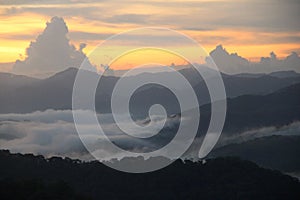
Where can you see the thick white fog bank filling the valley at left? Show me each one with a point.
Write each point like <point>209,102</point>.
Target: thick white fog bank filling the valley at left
<point>53,133</point>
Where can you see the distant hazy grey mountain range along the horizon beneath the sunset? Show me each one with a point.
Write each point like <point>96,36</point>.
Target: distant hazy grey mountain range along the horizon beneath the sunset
<point>26,94</point>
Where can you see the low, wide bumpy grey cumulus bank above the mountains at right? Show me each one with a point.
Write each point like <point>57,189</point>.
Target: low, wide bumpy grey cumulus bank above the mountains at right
<point>235,64</point>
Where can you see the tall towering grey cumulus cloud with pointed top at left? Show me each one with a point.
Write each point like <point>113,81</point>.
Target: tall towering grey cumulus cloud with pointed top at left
<point>51,52</point>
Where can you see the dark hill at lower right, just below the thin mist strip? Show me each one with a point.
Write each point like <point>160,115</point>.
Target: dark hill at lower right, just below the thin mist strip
<point>276,152</point>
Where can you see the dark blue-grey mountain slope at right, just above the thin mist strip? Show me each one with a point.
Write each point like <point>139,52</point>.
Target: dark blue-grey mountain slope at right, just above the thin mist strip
<point>255,111</point>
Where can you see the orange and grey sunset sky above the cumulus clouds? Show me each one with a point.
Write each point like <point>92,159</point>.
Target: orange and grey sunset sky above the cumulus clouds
<point>253,28</point>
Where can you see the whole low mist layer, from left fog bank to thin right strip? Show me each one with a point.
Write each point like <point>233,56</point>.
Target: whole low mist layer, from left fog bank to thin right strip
<point>53,133</point>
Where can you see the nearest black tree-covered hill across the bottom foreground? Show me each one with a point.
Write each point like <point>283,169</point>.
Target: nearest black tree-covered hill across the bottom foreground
<point>221,178</point>
